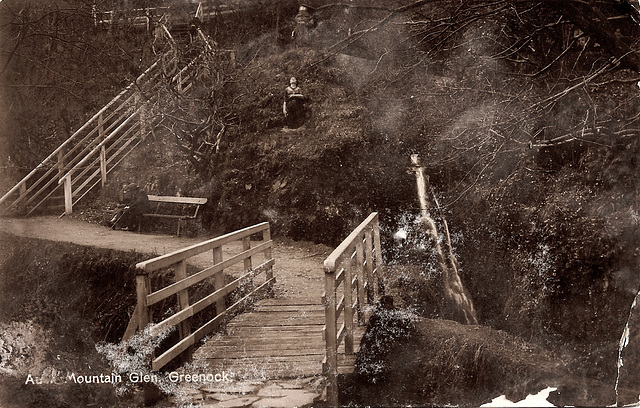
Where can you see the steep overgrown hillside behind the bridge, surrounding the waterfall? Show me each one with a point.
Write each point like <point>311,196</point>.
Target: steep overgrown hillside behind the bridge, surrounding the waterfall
<point>525,116</point>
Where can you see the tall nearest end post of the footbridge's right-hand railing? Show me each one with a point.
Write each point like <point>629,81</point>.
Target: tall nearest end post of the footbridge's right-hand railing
<point>331,367</point>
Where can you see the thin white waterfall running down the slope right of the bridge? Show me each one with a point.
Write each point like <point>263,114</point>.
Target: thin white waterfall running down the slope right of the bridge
<point>454,290</point>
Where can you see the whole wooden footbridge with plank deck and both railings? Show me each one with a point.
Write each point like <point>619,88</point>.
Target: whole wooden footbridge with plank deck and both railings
<point>312,330</point>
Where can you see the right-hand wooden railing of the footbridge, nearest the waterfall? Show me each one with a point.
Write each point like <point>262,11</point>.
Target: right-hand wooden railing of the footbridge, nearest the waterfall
<point>353,272</point>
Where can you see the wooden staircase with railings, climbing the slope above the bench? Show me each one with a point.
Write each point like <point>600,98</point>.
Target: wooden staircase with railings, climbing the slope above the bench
<point>85,159</point>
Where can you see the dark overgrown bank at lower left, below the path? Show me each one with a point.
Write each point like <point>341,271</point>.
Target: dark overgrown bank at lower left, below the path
<point>59,300</point>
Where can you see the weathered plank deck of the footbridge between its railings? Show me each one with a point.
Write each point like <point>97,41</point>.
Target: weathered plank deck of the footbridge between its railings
<point>279,338</point>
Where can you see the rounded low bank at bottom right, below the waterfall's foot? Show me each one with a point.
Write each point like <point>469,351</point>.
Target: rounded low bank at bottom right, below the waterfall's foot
<point>440,362</point>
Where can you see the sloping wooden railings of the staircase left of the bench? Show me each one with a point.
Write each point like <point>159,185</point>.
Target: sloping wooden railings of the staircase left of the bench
<point>82,147</point>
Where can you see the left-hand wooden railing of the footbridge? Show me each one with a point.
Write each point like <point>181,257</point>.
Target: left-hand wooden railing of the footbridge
<point>143,314</point>
